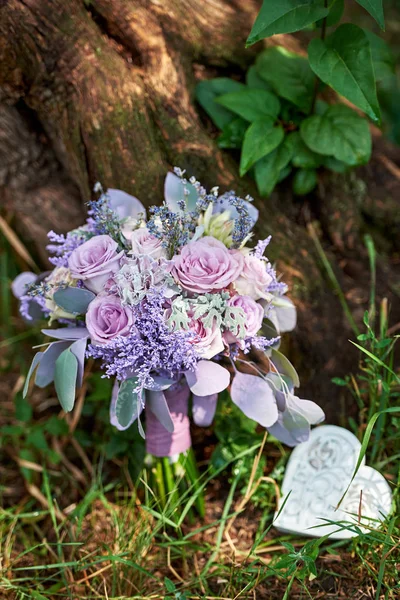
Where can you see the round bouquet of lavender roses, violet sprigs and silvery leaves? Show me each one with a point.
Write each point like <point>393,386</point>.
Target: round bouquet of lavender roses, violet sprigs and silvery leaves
<point>176,304</point>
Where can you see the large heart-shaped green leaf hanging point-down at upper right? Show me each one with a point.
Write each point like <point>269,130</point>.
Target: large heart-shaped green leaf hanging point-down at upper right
<point>344,62</point>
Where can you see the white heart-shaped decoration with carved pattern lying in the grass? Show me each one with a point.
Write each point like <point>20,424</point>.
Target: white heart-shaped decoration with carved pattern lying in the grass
<point>317,475</point>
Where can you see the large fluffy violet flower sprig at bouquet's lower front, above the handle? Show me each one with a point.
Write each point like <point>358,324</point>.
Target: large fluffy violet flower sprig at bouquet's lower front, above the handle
<point>157,350</point>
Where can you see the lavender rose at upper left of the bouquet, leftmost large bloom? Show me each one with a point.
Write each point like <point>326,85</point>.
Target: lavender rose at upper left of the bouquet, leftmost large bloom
<point>95,262</point>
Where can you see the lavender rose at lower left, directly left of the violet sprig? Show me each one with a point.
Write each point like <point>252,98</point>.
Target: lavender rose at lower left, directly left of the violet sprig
<point>107,318</point>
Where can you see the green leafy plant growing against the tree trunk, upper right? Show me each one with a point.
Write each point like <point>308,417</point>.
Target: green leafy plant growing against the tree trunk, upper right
<point>278,119</point>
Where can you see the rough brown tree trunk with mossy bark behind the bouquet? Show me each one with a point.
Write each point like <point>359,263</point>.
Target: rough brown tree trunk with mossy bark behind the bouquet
<point>102,90</point>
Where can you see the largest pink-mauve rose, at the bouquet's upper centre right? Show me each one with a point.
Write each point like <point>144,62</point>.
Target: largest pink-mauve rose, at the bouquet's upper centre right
<point>207,265</point>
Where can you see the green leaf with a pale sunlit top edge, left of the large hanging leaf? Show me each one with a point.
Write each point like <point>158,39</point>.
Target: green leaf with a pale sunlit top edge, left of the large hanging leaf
<point>289,74</point>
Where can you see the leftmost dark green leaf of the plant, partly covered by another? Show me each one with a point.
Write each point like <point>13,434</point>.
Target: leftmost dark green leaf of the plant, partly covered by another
<point>207,91</point>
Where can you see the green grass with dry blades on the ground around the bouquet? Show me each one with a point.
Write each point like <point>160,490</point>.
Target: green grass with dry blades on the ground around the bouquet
<point>82,517</point>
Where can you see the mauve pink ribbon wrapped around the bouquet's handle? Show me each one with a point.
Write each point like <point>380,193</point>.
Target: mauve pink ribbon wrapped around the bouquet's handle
<point>161,443</point>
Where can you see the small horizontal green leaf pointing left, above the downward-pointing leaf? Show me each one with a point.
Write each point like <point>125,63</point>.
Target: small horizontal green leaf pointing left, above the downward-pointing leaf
<point>251,104</point>
